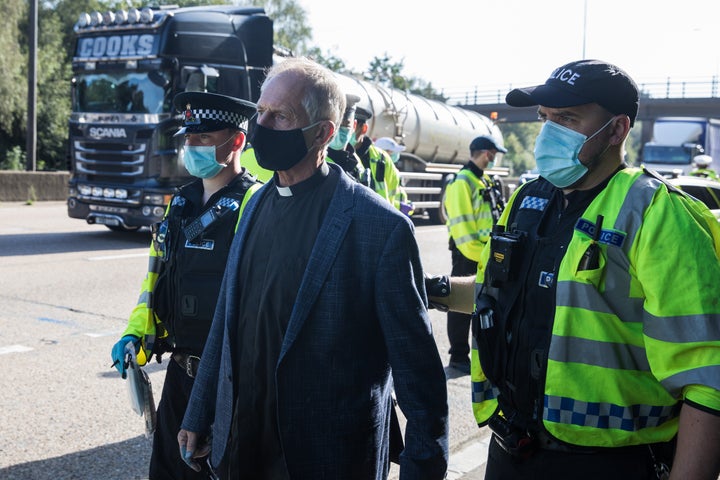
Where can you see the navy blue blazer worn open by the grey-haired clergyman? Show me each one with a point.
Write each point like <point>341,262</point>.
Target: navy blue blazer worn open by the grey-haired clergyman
<point>358,326</point>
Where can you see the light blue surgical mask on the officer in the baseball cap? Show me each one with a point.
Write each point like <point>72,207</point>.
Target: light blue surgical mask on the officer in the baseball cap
<point>556,153</point>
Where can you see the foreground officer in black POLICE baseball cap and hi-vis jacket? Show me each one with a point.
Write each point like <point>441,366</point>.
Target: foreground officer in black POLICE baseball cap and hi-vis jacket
<point>597,323</point>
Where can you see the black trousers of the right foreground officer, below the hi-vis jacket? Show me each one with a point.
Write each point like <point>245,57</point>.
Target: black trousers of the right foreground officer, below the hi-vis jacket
<point>632,463</point>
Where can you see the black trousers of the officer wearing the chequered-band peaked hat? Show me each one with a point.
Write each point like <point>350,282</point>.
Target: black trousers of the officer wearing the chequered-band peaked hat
<point>165,462</point>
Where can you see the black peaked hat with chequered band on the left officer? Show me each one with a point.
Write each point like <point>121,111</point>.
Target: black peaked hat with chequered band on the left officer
<point>210,112</point>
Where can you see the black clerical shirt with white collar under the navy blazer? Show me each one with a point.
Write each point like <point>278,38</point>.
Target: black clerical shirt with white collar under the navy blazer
<point>272,266</point>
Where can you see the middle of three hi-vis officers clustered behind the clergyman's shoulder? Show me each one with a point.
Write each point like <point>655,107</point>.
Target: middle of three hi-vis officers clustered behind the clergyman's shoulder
<point>381,173</point>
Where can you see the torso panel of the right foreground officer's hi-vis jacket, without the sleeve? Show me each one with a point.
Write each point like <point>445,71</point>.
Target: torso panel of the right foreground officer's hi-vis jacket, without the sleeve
<point>584,345</point>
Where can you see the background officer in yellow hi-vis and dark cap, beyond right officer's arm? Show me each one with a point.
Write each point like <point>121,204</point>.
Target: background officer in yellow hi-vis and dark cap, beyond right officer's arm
<point>472,204</point>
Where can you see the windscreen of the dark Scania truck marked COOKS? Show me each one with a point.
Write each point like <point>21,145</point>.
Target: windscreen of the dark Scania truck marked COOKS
<point>120,92</point>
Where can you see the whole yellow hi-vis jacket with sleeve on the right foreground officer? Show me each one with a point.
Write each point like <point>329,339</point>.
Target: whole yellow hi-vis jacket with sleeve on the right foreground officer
<point>637,335</point>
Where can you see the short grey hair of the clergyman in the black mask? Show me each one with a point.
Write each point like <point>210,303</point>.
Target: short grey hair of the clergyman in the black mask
<point>323,98</point>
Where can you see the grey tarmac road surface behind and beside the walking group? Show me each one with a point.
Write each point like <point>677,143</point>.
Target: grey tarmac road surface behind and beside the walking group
<point>66,289</point>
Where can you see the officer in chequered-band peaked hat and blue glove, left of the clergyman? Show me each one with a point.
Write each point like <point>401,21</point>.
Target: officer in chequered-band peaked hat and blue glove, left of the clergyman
<point>187,261</point>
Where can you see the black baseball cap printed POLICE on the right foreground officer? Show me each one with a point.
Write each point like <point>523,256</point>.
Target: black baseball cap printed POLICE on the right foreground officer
<point>580,83</point>
